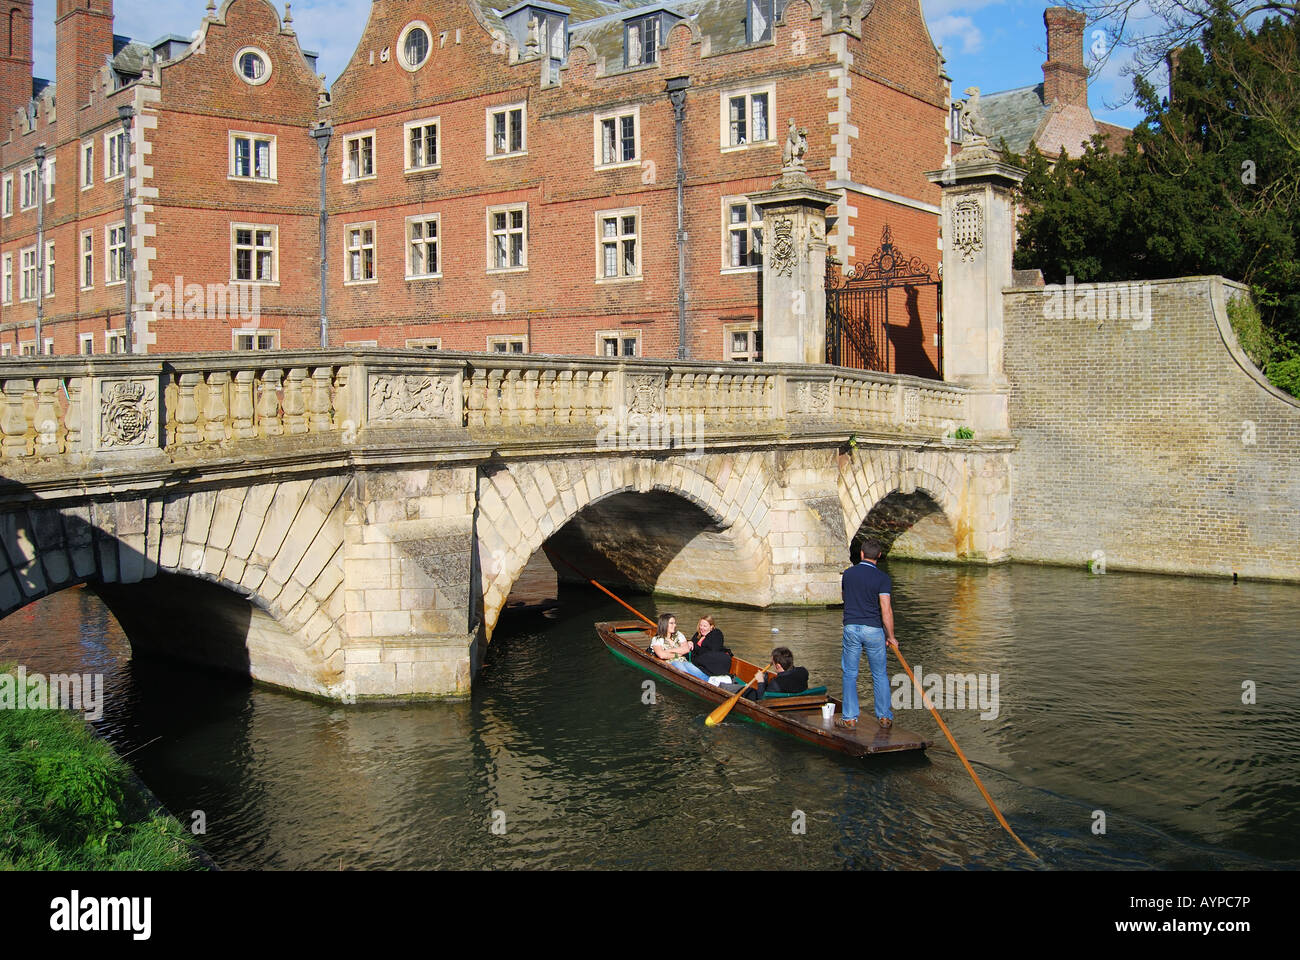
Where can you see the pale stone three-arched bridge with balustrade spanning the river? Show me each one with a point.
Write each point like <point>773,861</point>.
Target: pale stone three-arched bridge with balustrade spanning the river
<point>350,524</point>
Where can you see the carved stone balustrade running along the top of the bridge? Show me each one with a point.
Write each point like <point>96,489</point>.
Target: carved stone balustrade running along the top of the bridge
<point>158,407</point>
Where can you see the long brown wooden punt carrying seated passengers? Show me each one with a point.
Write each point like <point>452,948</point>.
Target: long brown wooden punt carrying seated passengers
<point>799,716</point>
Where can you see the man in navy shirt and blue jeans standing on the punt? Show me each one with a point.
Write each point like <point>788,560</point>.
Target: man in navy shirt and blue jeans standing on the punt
<point>868,628</point>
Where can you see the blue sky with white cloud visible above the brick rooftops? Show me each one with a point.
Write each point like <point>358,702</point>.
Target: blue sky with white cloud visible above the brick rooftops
<point>994,45</point>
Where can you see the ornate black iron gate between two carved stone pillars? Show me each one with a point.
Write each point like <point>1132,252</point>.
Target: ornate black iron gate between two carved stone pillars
<point>857,309</point>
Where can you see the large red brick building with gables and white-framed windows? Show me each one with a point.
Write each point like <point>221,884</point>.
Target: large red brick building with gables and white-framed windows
<point>495,180</point>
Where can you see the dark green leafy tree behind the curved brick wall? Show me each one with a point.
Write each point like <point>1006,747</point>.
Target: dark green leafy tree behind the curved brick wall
<point>1210,183</point>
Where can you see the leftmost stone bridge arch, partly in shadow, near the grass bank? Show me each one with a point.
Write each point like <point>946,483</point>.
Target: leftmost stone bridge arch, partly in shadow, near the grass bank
<point>237,578</point>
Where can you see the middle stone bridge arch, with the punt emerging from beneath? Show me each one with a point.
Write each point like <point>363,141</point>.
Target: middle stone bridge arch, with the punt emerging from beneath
<point>523,505</point>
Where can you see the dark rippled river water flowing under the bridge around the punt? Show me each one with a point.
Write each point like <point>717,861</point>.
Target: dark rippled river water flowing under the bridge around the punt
<point>1121,741</point>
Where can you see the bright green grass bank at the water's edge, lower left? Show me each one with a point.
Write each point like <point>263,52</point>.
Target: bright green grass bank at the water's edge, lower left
<point>68,803</point>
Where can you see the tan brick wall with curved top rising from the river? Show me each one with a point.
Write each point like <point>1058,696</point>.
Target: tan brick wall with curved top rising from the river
<point>1159,446</point>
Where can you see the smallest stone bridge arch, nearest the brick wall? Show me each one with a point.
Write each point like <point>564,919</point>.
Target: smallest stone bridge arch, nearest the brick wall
<point>896,488</point>
